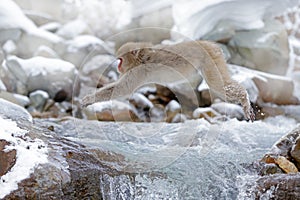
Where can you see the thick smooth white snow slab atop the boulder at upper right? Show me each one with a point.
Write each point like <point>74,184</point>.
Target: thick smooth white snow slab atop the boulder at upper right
<point>196,19</point>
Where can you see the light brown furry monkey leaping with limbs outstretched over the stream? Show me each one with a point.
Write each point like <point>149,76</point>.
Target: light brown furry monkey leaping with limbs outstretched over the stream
<point>146,63</point>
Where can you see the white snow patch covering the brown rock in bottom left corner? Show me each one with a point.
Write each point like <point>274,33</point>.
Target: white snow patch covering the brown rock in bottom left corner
<point>29,154</point>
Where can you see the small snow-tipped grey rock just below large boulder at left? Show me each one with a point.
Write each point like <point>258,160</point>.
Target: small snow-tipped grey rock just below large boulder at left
<point>38,99</point>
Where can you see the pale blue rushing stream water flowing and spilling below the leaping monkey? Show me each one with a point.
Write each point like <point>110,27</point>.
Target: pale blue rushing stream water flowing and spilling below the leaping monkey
<point>191,160</point>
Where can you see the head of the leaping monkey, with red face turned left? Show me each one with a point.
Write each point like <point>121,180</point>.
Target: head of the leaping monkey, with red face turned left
<point>130,55</point>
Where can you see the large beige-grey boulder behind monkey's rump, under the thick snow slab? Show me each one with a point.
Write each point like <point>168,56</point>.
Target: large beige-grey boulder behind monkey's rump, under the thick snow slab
<point>266,49</point>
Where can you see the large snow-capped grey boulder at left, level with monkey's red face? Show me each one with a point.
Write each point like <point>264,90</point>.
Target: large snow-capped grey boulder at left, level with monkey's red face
<point>38,73</point>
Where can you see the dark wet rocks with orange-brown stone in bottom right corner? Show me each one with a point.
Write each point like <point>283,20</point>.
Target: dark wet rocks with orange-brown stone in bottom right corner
<point>279,178</point>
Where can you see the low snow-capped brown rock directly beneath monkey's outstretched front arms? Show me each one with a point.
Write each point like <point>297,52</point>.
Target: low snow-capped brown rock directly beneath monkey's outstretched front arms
<point>111,111</point>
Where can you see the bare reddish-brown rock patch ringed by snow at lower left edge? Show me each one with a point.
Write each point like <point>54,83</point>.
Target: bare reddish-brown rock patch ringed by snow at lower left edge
<point>7,159</point>
